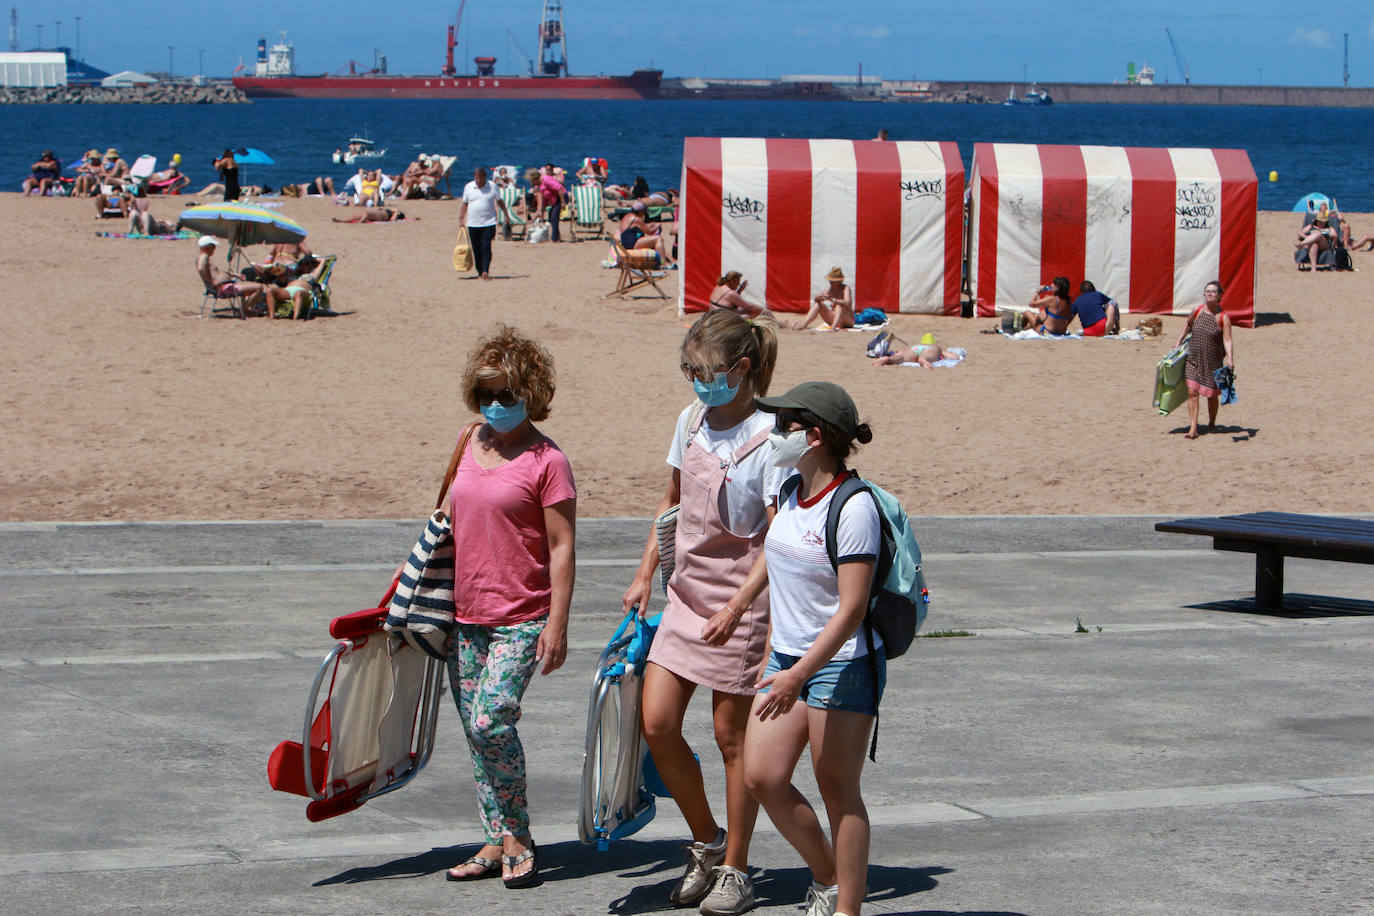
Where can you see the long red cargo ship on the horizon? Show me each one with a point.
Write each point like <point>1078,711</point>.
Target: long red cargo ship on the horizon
<point>275,78</point>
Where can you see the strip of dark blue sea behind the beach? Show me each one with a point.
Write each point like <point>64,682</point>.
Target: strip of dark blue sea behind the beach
<point>1311,149</point>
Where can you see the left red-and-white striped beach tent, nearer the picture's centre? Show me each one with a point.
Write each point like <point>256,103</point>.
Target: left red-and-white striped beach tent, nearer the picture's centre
<point>785,212</point>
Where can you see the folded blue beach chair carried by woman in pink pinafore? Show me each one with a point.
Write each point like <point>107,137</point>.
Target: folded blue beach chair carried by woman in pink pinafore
<point>619,778</point>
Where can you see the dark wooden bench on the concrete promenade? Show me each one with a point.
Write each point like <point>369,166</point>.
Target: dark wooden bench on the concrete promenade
<point>1272,536</point>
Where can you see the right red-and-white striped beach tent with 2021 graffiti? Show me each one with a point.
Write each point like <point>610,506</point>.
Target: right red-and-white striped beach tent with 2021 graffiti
<point>1151,227</point>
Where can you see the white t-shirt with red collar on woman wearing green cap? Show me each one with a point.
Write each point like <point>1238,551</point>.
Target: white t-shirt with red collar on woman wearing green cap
<point>803,588</point>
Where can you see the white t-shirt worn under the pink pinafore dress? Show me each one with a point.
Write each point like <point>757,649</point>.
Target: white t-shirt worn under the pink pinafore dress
<point>754,484</point>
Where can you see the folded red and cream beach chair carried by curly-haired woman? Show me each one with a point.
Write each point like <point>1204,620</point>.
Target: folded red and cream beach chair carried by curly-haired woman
<point>374,731</point>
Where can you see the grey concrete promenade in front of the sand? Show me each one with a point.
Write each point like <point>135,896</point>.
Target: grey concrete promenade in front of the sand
<point>1184,756</point>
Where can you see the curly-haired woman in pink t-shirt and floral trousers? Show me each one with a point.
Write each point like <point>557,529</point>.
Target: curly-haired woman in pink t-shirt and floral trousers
<point>515,506</point>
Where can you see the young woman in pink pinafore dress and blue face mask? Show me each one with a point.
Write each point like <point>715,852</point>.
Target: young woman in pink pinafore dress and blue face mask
<point>715,630</point>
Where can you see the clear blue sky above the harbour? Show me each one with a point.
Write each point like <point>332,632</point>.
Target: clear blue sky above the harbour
<point>1066,41</point>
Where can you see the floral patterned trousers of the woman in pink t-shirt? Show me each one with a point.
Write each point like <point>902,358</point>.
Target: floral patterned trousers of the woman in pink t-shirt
<point>488,671</point>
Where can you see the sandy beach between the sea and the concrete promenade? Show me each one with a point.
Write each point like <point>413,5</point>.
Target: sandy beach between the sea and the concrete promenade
<point>122,404</point>
